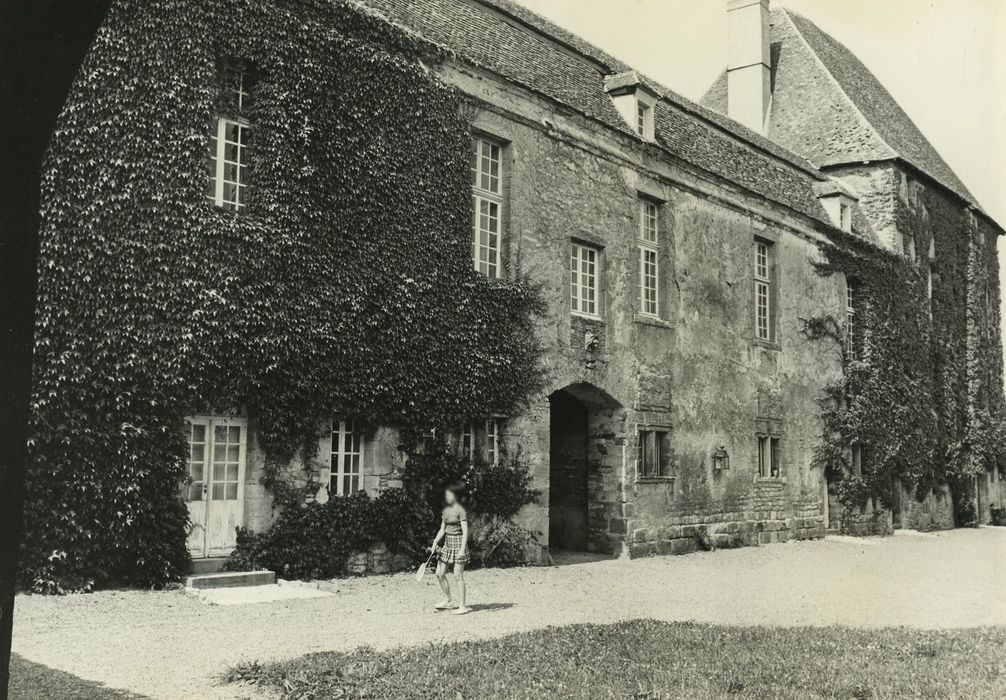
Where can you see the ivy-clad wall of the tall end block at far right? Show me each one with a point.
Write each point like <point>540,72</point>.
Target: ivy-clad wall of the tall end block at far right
<point>925,396</point>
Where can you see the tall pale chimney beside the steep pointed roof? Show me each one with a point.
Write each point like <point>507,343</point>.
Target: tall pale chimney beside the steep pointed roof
<point>749,77</point>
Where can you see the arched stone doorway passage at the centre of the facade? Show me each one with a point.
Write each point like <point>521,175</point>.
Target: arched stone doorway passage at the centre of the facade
<point>587,446</point>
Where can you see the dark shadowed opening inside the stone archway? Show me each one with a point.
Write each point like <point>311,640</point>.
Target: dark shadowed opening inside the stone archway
<point>568,492</point>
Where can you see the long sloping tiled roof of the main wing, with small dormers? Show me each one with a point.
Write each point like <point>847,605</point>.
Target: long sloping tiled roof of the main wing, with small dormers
<point>514,43</point>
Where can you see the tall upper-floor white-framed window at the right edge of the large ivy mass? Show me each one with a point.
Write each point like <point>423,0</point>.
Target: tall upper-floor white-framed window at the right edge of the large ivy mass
<point>487,205</point>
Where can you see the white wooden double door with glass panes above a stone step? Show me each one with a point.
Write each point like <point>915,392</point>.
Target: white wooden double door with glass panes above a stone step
<point>216,496</point>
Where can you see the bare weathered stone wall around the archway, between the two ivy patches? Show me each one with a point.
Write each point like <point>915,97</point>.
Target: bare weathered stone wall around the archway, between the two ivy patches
<point>696,371</point>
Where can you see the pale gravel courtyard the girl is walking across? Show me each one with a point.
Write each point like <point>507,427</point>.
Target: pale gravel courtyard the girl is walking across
<point>169,645</point>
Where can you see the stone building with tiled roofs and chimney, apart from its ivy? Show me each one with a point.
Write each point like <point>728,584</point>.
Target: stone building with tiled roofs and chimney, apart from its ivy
<point>675,243</point>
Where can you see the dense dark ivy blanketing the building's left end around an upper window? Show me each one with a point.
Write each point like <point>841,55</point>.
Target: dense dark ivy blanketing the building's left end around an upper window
<point>345,288</point>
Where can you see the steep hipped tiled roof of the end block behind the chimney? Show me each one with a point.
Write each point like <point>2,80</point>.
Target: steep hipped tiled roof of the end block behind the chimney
<point>828,107</point>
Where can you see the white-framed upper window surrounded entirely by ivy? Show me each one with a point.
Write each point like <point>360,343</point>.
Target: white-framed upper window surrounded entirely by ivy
<point>229,164</point>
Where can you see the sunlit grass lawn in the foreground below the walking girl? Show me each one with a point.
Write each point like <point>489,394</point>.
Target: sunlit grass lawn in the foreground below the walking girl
<point>650,660</point>
